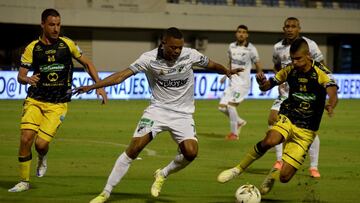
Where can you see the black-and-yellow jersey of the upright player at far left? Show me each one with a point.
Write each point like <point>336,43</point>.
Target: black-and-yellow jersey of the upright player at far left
<point>54,64</point>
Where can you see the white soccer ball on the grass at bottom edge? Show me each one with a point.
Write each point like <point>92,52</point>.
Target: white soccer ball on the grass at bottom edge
<point>247,194</point>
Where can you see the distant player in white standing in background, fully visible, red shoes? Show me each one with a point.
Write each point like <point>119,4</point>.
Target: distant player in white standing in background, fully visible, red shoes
<point>242,54</point>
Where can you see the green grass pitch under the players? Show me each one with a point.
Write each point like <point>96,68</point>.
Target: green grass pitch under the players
<point>92,136</point>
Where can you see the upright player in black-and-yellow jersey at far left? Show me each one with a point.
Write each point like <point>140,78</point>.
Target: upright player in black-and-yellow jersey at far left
<point>50,57</point>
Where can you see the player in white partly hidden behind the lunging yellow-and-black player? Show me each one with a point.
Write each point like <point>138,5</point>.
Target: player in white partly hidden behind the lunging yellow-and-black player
<point>281,58</point>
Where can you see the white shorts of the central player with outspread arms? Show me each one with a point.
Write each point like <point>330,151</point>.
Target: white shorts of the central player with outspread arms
<point>155,120</point>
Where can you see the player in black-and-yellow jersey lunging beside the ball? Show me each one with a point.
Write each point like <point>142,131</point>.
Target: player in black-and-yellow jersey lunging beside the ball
<point>299,117</point>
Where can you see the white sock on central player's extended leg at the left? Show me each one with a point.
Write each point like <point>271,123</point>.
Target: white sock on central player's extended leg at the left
<point>120,168</point>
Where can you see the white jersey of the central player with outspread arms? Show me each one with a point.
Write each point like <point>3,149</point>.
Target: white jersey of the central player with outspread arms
<point>171,82</point>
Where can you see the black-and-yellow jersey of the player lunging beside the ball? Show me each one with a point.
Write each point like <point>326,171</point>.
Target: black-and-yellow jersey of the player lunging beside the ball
<point>307,95</point>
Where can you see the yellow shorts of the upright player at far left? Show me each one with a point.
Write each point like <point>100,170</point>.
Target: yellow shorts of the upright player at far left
<point>43,117</point>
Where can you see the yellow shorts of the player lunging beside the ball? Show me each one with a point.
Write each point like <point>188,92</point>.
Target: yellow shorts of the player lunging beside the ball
<point>297,141</point>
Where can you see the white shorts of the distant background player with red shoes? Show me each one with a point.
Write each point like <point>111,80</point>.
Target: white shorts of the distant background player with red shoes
<point>234,95</point>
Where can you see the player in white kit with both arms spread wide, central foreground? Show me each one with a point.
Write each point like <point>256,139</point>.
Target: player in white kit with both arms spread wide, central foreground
<point>168,69</point>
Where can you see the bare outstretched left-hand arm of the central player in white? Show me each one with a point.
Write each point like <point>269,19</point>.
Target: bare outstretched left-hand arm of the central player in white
<point>113,79</point>
